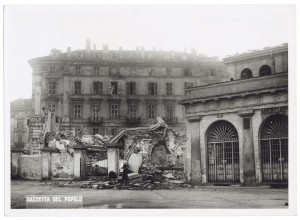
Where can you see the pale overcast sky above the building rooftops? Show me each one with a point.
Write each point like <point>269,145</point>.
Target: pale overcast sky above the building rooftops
<point>214,30</point>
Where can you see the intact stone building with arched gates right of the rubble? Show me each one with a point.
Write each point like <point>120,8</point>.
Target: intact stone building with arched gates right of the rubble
<point>238,130</point>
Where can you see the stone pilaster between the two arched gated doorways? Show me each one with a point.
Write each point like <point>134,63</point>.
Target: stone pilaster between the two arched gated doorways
<point>248,148</point>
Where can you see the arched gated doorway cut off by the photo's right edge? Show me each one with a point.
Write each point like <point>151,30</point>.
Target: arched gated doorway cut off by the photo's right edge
<point>274,149</point>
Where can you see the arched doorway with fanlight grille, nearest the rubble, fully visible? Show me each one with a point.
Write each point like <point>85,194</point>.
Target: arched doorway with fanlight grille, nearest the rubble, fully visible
<point>223,152</point>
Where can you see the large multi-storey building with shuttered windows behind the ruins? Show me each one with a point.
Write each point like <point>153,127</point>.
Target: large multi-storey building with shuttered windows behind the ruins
<point>108,90</point>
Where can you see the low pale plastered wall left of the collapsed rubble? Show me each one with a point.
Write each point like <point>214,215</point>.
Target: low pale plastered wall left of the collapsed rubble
<point>50,164</point>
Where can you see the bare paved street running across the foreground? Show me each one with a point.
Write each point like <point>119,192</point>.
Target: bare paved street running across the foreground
<point>202,197</point>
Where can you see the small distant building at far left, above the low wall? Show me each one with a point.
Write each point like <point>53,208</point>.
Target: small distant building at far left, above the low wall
<point>20,112</point>
